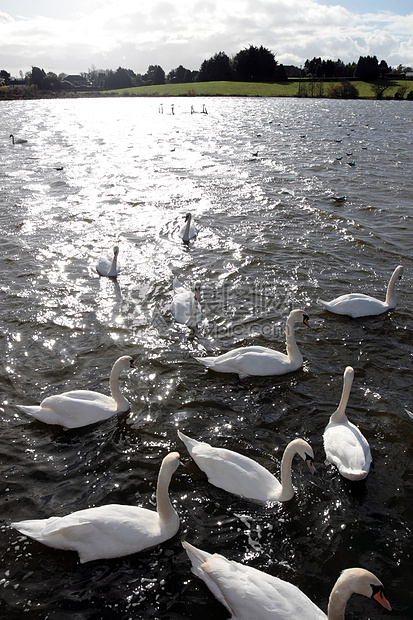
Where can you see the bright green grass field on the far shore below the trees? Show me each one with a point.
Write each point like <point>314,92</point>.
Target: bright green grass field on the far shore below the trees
<point>249,89</point>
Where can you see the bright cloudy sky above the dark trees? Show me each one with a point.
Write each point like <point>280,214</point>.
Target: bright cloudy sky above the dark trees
<point>74,36</point>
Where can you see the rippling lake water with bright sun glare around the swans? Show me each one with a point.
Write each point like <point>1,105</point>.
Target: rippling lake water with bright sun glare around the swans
<point>259,177</point>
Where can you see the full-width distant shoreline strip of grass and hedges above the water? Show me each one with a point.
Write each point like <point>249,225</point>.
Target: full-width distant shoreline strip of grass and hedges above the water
<point>294,87</point>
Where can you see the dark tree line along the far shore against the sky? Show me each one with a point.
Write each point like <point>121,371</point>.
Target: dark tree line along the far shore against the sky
<point>253,64</point>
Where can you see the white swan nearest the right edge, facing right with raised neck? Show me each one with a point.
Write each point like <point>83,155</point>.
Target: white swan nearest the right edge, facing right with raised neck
<point>358,304</point>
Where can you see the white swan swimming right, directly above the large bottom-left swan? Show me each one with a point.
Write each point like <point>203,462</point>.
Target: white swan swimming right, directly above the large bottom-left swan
<point>82,407</point>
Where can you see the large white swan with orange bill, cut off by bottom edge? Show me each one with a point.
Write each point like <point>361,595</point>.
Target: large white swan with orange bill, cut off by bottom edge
<point>248,593</point>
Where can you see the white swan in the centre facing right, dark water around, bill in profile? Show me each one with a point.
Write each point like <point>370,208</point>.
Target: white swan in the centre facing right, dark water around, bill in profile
<point>262,361</point>
